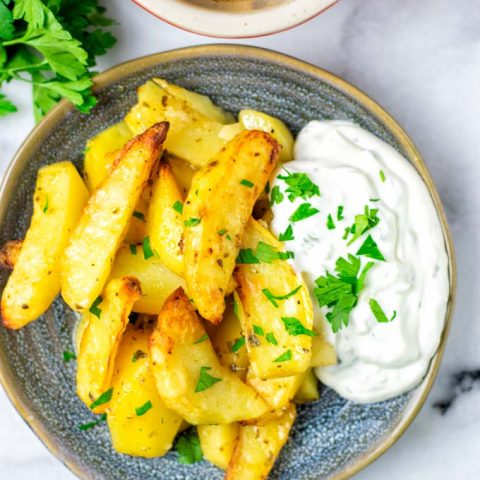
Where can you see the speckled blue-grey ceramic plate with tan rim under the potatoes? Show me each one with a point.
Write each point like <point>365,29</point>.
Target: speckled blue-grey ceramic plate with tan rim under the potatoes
<point>332,437</point>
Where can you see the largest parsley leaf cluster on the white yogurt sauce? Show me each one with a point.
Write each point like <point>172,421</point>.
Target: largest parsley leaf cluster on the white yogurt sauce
<point>341,293</point>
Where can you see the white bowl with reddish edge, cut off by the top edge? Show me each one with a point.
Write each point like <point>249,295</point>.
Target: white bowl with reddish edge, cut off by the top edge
<point>235,18</point>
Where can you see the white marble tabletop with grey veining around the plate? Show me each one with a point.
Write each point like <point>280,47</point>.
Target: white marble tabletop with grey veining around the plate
<point>421,60</point>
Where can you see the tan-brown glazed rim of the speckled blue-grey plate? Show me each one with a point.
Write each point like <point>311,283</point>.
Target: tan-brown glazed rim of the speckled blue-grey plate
<point>125,69</point>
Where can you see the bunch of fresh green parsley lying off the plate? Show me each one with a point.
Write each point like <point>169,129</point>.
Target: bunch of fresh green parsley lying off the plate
<point>51,44</point>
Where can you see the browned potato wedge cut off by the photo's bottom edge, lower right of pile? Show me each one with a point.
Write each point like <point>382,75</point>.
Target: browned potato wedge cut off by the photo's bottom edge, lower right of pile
<point>258,447</point>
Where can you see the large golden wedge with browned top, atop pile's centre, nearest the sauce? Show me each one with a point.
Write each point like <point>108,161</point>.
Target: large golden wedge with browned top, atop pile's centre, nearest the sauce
<point>216,211</point>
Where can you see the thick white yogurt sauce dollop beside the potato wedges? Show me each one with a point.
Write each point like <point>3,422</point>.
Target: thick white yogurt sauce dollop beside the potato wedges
<point>353,168</point>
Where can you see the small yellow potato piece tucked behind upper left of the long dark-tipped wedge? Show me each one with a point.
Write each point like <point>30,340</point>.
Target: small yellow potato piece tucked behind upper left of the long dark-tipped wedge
<point>101,151</point>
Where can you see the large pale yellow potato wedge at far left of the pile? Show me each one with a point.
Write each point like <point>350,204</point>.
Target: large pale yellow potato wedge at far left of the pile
<point>59,198</point>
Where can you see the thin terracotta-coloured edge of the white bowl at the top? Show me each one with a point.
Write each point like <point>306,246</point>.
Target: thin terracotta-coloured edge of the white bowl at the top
<point>255,34</point>
